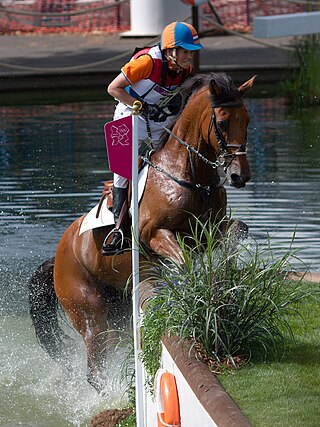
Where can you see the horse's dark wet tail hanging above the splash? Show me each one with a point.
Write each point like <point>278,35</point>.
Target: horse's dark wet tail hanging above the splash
<point>43,308</point>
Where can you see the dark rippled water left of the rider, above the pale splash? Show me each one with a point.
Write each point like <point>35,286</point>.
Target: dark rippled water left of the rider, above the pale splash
<point>53,162</point>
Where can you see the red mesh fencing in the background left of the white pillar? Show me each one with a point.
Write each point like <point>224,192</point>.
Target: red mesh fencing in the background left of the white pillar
<point>71,16</point>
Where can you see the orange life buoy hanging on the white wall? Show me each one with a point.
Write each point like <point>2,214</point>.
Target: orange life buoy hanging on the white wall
<point>167,400</point>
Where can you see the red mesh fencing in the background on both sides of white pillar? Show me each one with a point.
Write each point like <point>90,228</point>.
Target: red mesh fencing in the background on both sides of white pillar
<point>84,16</point>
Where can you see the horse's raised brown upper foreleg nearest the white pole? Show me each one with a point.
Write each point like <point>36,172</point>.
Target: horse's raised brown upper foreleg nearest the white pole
<point>165,243</point>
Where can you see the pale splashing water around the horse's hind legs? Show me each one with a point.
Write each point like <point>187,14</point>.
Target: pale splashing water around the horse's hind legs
<point>36,391</point>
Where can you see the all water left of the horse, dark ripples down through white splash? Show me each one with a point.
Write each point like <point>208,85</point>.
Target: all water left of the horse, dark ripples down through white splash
<point>53,163</point>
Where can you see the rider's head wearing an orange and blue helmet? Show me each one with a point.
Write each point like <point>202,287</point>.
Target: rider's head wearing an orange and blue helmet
<point>179,40</point>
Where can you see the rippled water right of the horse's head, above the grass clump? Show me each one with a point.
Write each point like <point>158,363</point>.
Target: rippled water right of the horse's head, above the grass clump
<point>282,200</point>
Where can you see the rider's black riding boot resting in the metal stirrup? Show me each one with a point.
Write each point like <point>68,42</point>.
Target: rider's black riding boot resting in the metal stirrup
<point>117,237</point>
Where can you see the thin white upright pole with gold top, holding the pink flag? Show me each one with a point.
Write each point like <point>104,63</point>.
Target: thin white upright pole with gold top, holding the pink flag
<point>135,268</point>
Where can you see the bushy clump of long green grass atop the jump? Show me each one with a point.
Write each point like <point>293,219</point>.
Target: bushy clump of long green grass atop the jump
<point>230,299</point>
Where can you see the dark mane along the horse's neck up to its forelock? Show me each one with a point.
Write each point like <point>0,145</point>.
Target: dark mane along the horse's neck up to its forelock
<point>194,84</point>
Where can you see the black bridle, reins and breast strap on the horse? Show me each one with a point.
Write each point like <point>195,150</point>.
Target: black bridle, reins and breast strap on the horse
<point>224,158</point>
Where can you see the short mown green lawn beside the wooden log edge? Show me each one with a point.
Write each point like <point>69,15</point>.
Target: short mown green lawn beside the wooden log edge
<point>287,393</point>
